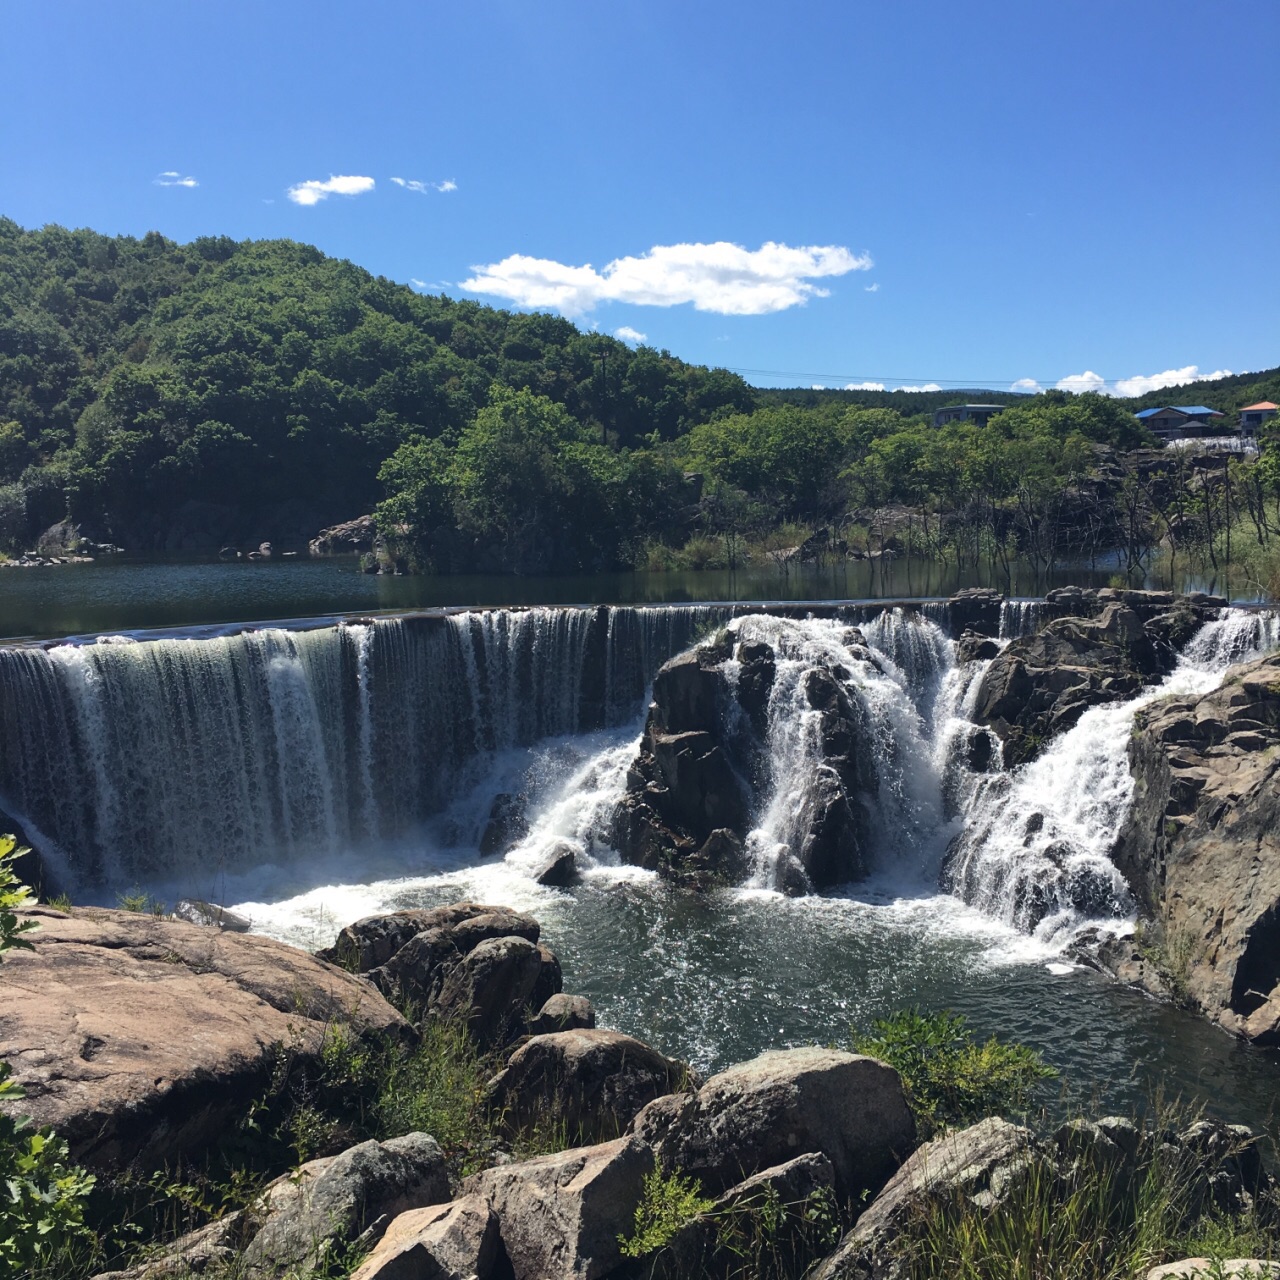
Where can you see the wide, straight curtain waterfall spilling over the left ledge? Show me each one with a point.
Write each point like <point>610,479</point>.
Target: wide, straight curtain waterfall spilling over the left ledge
<point>139,761</point>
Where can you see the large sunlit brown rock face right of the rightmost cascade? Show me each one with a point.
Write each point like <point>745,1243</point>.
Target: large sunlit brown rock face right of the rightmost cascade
<point>1201,847</point>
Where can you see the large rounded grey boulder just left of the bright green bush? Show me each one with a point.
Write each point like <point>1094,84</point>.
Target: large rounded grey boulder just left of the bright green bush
<point>781,1105</point>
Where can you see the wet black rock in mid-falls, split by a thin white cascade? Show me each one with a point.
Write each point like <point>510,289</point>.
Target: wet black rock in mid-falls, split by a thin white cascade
<point>703,771</point>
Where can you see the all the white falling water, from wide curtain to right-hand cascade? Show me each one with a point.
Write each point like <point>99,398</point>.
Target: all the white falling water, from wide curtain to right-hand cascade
<point>140,762</point>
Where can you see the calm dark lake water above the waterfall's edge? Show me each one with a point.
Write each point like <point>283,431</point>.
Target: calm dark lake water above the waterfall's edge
<point>129,596</point>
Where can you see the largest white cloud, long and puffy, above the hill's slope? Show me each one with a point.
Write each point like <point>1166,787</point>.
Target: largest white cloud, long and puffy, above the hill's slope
<point>724,278</point>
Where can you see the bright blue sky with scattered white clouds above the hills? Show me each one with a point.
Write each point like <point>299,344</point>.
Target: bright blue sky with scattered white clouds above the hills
<point>967,194</point>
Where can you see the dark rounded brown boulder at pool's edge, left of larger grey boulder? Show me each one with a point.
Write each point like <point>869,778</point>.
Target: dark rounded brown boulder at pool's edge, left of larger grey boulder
<point>593,1084</point>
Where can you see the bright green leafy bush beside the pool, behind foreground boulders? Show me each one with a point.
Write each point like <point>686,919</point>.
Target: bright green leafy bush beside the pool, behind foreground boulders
<point>950,1078</point>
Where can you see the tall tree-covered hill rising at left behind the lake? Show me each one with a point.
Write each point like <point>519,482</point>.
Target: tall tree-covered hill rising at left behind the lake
<point>139,376</point>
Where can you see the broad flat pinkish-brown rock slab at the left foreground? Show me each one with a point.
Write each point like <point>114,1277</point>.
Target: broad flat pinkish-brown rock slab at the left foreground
<point>140,1039</point>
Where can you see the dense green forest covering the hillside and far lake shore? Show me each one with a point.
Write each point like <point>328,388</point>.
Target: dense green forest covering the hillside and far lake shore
<point>182,397</point>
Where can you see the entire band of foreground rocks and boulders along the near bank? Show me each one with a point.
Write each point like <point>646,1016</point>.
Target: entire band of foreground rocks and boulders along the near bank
<point>143,1039</point>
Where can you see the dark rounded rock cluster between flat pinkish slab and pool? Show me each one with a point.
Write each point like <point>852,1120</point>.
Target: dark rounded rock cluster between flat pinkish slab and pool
<point>469,962</point>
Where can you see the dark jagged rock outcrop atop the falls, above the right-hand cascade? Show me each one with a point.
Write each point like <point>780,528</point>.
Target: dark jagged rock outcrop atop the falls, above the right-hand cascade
<point>1041,685</point>
